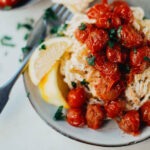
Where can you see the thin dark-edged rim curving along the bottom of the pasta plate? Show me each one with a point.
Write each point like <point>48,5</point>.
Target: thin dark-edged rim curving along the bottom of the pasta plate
<point>72,137</point>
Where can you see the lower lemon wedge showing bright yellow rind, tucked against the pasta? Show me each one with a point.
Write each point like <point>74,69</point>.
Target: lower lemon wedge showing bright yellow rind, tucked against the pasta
<point>52,87</point>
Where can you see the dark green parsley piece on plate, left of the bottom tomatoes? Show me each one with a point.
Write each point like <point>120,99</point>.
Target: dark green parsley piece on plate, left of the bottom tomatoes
<point>59,114</point>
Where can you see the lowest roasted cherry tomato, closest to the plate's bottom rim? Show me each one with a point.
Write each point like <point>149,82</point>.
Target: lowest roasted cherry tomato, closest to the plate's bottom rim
<point>130,122</point>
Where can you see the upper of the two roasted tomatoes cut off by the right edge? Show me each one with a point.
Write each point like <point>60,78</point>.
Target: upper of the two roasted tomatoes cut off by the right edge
<point>137,58</point>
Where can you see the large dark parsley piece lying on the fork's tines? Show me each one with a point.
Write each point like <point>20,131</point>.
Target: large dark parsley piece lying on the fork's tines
<point>49,14</point>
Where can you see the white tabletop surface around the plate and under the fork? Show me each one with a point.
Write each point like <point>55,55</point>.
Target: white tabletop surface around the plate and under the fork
<point>20,127</point>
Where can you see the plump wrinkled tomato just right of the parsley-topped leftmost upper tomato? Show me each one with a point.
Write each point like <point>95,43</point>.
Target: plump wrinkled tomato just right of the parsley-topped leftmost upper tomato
<point>97,40</point>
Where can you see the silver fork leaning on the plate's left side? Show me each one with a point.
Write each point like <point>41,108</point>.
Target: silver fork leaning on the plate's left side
<point>38,33</point>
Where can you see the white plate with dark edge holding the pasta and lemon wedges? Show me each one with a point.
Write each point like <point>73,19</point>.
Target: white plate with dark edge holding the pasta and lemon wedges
<point>109,135</point>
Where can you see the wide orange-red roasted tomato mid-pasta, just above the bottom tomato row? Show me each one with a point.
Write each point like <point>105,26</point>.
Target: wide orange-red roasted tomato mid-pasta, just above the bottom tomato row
<point>109,90</point>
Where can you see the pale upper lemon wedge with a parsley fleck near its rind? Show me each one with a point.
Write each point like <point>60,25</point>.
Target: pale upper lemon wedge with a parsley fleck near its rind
<point>43,59</point>
